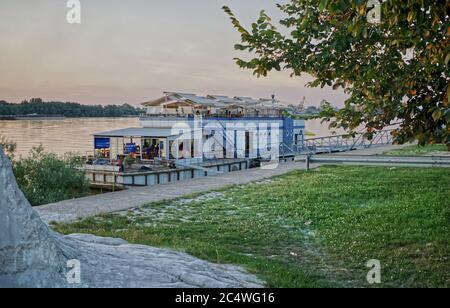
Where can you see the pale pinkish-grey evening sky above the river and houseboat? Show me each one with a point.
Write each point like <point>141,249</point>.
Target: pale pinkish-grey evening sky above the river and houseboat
<point>132,51</point>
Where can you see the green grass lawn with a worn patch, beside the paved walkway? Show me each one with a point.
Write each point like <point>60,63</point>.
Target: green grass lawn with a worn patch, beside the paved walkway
<point>315,229</point>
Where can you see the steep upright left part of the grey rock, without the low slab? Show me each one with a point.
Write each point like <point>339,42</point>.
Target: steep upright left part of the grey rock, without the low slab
<point>29,254</point>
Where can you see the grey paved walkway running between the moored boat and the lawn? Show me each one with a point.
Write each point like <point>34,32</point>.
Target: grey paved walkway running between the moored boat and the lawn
<point>71,210</point>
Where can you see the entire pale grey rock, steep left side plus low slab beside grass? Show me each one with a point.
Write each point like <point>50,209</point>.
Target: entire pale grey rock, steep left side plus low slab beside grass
<point>31,255</point>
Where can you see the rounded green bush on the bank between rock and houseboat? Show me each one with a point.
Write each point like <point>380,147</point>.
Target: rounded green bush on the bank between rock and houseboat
<point>45,178</point>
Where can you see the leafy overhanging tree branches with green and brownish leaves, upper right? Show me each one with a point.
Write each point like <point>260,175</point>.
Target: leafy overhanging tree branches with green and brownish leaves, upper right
<point>395,69</point>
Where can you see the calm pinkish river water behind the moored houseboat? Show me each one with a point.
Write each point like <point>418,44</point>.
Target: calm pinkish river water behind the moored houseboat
<point>75,134</point>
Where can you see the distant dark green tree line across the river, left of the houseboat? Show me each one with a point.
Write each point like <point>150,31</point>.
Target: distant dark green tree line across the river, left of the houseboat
<point>72,110</point>
